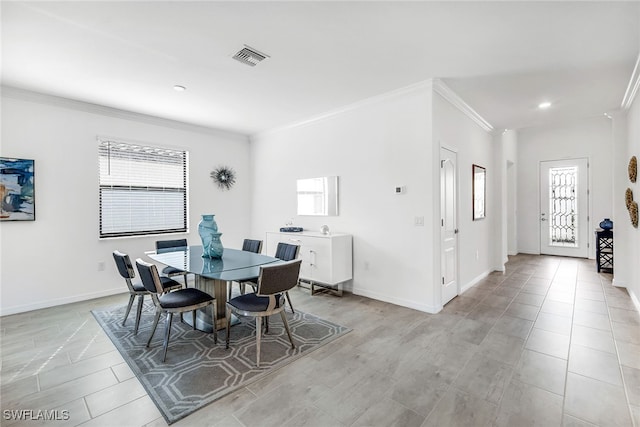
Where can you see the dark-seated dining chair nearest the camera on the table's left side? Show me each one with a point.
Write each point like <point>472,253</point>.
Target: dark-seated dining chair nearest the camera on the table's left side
<point>180,301</point>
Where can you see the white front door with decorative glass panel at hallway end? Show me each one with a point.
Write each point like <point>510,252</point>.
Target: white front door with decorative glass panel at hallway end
<point>564,207</point>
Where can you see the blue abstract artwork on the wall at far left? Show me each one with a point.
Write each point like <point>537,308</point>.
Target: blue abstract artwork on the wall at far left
<point>17,202</point>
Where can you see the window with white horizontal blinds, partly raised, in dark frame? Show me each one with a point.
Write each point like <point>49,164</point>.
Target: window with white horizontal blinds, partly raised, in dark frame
<point>143,189</point>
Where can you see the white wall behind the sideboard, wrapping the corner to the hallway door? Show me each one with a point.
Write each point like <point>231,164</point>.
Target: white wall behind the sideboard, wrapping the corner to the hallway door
<point>374,146</point>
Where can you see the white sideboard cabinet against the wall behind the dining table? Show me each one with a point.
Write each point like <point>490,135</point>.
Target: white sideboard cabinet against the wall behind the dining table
<point>326,258</point>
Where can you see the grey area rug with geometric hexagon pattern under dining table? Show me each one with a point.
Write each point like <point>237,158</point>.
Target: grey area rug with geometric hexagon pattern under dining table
<point>197,371</point>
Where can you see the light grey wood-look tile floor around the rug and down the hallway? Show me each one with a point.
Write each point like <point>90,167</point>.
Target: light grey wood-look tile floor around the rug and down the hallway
<point>548,343</point>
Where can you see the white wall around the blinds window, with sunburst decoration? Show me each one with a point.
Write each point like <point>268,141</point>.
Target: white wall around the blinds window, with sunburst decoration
<point>54,260</point>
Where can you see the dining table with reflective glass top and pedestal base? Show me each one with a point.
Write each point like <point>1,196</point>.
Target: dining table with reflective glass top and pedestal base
<point>213,275</point>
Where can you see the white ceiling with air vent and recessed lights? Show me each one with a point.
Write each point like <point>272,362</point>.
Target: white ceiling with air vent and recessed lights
<point>502,58</point>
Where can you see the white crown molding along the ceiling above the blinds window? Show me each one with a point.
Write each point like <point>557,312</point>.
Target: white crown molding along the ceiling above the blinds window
<point>87,107</point>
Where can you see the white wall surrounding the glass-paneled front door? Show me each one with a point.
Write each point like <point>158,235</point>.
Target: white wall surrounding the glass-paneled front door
<point>591,138</point>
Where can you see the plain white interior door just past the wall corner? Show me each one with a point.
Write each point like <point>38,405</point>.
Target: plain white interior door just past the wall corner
<point>449,225</point>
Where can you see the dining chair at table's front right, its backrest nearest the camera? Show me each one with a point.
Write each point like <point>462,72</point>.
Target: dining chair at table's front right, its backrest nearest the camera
<point>273,282</point>
